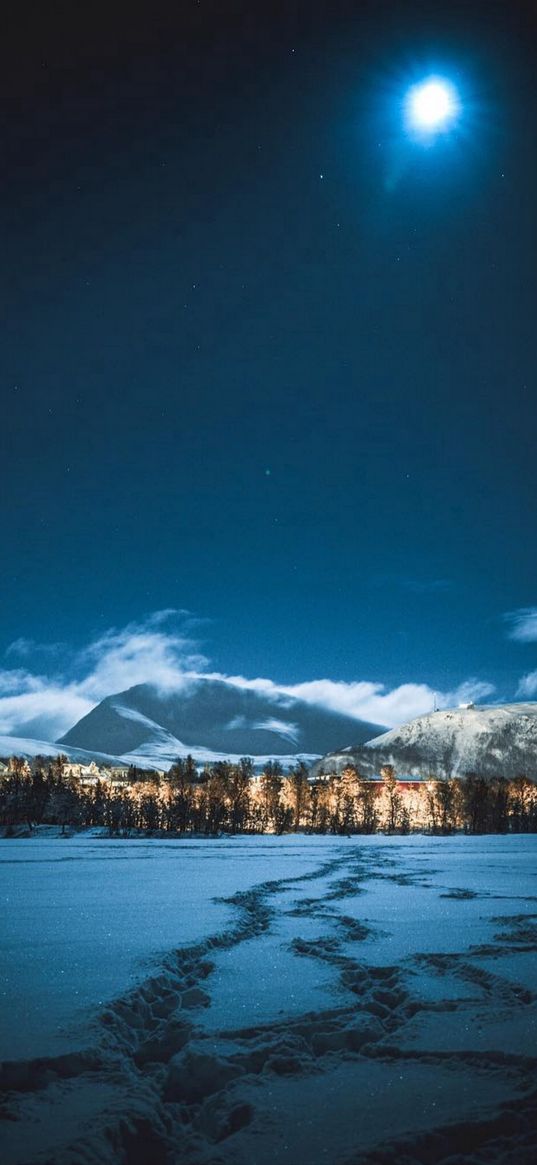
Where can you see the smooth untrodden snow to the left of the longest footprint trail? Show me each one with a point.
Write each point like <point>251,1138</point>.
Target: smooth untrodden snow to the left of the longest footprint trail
<point>84,919</point>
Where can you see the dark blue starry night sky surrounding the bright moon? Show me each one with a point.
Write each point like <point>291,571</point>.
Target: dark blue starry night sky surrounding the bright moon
<point>265,358</point>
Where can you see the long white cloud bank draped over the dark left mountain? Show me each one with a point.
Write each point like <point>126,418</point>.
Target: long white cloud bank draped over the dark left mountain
<point>161,651</point>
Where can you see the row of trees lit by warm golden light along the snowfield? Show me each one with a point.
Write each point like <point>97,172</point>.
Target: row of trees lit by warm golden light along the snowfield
<point>229,799</point>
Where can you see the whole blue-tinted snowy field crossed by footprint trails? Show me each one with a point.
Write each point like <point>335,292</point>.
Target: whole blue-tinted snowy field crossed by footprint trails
<point>366,1000</point>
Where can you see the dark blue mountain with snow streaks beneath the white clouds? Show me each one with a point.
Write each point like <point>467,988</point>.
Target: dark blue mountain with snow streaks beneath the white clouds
<point>211,719</point>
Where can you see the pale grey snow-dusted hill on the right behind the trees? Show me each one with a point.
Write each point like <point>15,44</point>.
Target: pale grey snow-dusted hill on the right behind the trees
<point>491,740</point>
